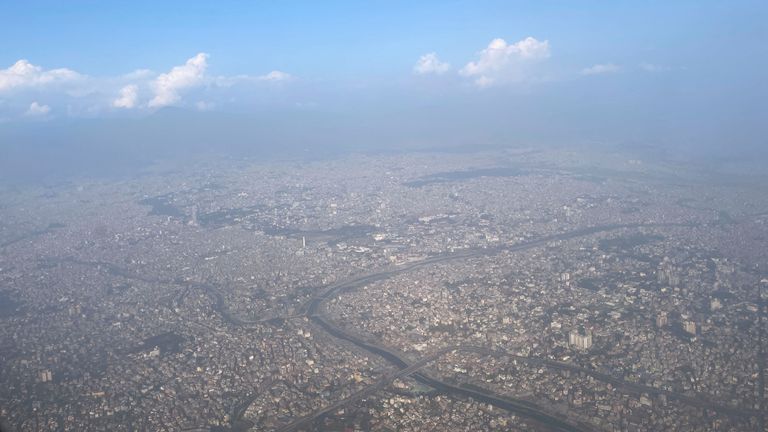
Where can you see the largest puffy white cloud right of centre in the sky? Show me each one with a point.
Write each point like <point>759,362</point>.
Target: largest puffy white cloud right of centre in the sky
<point>503,62</point>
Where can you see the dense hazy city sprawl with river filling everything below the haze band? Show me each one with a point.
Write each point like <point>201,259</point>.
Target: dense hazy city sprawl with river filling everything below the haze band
<point>512,289</point>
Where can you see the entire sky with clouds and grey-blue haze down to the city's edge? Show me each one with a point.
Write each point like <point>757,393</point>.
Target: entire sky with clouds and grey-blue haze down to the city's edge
<point>682,79</point>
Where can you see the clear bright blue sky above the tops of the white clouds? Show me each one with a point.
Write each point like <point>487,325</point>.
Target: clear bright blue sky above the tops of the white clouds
<point>374,38</point>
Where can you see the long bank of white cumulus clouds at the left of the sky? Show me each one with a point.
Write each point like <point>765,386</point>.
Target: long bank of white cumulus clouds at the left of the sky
<point>73,94</point>
